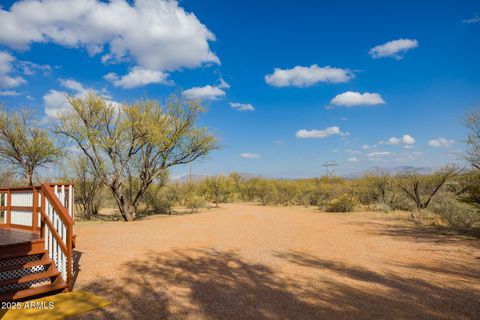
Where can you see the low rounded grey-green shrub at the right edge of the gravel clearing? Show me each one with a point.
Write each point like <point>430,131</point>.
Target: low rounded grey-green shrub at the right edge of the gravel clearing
<point>455,213</point>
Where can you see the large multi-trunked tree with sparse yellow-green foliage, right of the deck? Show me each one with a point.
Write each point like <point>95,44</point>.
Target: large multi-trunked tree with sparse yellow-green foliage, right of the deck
<point>129,146</point>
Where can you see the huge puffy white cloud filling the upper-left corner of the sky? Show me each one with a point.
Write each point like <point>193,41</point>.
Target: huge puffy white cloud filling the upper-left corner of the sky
<point>155,34</point>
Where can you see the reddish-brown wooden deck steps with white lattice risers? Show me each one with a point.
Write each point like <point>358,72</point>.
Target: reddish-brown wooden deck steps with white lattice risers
<point>26,271</point>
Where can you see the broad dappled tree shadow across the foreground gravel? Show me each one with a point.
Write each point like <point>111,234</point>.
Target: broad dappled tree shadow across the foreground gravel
<point>212,284</point>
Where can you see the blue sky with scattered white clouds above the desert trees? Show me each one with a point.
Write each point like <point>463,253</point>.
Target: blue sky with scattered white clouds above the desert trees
<point>379,83</point>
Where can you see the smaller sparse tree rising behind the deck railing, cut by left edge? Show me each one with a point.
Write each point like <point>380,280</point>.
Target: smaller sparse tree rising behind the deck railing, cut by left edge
<point>24,145</point>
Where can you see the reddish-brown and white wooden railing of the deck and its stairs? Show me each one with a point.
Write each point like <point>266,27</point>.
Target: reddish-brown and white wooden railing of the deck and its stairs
<point>47,208</point>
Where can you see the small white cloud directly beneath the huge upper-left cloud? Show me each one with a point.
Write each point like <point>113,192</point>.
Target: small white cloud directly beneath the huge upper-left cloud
<point>137,77</point>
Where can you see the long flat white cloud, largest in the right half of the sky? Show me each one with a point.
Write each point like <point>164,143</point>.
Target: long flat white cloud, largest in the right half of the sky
<point>307,76</point>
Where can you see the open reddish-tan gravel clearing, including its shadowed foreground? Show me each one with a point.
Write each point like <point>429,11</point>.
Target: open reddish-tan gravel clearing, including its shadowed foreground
<point>252,262</point>
